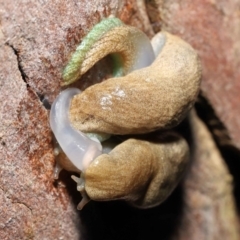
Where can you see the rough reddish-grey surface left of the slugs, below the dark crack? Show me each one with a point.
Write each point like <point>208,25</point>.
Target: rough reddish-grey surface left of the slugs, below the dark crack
<point>31,207</point>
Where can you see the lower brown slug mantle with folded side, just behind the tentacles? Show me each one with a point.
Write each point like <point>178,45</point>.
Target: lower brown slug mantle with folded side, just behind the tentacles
<point>141,172</point>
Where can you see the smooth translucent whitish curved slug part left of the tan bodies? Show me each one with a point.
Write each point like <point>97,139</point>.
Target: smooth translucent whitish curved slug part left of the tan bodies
<point>78,147</point>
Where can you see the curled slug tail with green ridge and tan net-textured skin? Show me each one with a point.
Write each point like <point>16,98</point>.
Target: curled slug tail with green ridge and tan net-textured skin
<point>129,47</point>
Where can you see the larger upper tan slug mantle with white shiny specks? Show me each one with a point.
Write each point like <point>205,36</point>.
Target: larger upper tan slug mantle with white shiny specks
<point>155,97</point>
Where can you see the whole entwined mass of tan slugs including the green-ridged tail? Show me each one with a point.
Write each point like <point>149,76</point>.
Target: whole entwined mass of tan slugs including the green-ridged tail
<point>154,86</point>
